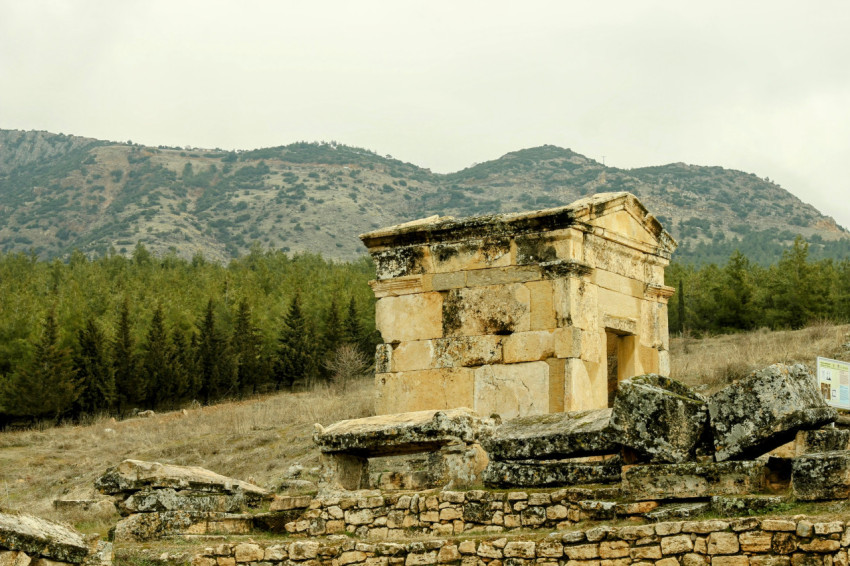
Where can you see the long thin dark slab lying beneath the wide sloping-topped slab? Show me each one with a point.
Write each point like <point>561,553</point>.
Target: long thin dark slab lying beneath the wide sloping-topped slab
<point>546,473</point>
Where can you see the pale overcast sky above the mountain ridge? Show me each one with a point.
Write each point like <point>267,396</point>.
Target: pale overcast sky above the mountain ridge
<point>759,86</point>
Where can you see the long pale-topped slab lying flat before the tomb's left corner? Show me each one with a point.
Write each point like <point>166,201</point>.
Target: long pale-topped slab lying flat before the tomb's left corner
<point>401,433</point>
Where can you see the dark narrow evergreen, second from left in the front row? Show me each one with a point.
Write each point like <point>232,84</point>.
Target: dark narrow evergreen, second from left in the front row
<point>97,380</point>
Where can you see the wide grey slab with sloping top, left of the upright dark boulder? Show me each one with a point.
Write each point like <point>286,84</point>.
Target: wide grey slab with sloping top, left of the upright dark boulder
<point>554,436</point>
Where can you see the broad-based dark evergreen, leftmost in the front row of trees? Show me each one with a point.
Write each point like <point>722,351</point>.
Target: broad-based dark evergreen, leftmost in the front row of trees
<point>47,386</point>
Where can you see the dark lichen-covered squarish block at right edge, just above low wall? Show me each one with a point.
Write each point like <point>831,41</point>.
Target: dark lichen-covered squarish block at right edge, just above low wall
<point>824,475</point>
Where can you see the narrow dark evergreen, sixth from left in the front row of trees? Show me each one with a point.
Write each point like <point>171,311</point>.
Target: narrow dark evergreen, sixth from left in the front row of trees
<point>215,364</point>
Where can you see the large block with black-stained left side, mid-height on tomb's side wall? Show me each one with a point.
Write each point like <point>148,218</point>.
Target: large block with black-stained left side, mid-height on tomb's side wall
<point>499,309</point>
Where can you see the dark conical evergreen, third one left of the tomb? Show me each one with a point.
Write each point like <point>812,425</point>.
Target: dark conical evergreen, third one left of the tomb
<point>296,360</point>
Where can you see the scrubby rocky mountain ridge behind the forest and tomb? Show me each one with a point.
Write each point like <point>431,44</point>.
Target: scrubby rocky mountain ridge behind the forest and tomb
<point>61,192</point>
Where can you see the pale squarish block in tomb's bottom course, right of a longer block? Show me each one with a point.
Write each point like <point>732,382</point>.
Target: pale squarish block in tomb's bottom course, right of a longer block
<point>512,390</point>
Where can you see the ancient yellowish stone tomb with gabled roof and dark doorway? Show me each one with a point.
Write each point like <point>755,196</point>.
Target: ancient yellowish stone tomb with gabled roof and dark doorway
<point>520,314</point>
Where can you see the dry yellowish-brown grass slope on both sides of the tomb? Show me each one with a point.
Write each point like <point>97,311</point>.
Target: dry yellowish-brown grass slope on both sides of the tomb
<point>261,438</point>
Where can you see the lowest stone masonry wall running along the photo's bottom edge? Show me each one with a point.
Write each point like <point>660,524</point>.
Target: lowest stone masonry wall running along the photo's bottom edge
<point>740,542</point>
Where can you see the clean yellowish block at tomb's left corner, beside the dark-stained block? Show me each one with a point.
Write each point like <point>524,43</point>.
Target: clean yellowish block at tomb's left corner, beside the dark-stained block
<point>393,316</point>
